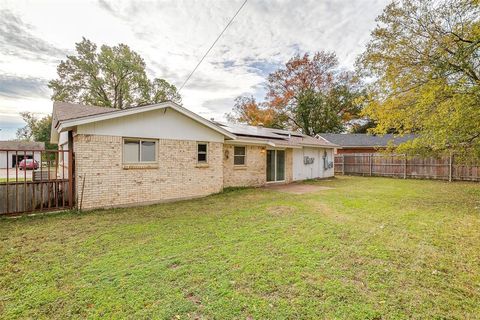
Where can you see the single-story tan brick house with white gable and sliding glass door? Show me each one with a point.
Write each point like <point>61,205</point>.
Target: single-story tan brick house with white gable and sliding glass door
<point>164,152</point>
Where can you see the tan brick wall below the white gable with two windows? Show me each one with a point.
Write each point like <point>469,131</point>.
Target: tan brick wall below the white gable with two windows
<point>176,176</point>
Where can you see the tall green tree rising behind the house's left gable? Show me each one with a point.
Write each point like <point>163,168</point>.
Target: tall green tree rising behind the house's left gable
<point>112,77</point>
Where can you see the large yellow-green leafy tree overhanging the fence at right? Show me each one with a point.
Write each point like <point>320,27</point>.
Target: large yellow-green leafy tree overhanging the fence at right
<point>424,59</point>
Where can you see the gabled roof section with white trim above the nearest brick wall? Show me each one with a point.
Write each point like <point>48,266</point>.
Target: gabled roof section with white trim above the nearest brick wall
<point>69,115</point>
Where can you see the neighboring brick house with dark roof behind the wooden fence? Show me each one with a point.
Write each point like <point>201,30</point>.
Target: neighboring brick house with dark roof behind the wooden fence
<point>363,143</point>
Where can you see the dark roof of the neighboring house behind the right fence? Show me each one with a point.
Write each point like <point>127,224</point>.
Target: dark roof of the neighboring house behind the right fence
<point>365,140</point>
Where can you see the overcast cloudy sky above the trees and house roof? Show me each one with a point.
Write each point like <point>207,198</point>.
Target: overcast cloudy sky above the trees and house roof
<point>172,36</point>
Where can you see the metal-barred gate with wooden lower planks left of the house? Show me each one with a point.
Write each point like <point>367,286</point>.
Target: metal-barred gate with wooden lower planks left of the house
<point>34,181</point>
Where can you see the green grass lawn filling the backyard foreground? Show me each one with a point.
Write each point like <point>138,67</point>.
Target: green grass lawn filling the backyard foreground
<point>369,248</point>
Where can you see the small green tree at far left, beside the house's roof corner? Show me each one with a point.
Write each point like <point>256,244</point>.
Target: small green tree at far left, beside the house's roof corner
<point>36,129</point>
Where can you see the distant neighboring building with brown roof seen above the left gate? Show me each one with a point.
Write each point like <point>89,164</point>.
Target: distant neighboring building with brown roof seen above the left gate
<point>23,149</point>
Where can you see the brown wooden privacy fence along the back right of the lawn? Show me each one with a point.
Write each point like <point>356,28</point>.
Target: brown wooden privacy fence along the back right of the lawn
<point>402,166</point>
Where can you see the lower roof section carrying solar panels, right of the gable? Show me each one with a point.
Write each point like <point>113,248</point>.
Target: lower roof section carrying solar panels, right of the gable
<point>274,137</point>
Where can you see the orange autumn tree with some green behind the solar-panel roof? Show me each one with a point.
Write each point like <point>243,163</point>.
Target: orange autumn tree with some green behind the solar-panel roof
<point>310,94</point>
